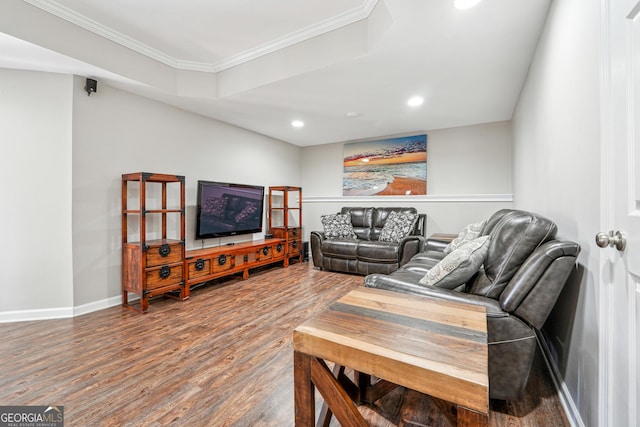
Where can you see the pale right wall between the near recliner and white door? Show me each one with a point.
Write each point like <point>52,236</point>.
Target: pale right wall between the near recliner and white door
<point>556,163</point>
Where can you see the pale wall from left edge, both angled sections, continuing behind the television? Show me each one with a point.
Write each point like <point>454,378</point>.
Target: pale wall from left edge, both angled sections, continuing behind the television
<point>61,161</point>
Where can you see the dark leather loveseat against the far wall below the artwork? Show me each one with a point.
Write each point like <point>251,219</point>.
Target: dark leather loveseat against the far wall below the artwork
<point>366,254</point>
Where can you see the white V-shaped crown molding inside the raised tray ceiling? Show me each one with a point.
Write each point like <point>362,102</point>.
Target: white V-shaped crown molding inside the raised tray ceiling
<point>328,25</point>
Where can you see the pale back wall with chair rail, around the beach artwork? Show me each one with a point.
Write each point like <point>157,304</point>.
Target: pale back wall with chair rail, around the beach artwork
<point>468,178</point>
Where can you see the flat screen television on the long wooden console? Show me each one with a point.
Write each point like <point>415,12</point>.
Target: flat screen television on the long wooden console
<point>227,209</point>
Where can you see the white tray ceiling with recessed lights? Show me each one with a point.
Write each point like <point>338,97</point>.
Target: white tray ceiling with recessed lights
<point>262,64</point>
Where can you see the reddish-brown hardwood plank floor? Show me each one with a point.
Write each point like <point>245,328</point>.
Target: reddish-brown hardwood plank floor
<point>222,358</point>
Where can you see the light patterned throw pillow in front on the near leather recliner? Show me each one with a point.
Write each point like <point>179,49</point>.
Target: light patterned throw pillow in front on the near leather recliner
<point>459,266</point>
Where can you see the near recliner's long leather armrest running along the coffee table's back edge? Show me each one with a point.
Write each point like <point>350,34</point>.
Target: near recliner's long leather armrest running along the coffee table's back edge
<point>399,284</point>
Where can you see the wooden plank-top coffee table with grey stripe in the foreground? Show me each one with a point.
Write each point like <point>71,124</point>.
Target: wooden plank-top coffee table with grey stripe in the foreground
<point>433,346</point>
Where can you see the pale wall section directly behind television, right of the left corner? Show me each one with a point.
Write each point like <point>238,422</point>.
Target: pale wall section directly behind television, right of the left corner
<point>116,132</point>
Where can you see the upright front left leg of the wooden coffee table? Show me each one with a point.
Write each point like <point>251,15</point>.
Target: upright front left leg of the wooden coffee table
<point>303,390</point>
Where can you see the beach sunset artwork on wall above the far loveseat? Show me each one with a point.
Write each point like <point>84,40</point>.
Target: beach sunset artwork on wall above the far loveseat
<point>386,167</point>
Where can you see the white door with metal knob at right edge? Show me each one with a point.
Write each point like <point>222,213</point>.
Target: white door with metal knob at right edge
<point>620,272</point>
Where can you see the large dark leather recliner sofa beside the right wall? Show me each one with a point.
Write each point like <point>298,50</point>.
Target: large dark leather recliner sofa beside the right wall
<point>523,273</point>
